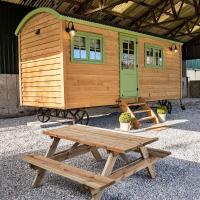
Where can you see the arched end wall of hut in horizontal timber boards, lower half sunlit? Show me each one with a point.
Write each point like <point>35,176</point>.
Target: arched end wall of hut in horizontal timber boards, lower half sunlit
<point>41,63</point>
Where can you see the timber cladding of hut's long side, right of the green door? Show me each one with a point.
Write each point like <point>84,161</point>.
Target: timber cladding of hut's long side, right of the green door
<point>160,83</point>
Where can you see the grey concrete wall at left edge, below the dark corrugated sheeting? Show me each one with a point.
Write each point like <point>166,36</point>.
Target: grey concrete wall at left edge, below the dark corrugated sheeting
<point>9,97</point>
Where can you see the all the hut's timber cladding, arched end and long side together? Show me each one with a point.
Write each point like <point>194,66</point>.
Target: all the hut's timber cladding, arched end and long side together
<point>50,79</point>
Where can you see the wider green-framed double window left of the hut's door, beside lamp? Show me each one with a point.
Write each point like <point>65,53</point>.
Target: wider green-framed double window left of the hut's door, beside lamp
<point>87,48</point>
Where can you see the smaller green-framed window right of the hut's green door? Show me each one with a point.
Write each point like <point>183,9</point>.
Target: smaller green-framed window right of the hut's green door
<point>153,56</point>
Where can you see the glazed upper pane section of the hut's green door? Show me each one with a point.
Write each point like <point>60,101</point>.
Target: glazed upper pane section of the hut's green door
<point>128,54</point>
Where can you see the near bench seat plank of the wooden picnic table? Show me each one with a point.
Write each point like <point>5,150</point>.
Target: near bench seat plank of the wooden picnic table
<point>73,173</point>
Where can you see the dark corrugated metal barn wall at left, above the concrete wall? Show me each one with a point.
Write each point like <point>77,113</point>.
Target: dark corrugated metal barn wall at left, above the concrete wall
<point>10,16</point>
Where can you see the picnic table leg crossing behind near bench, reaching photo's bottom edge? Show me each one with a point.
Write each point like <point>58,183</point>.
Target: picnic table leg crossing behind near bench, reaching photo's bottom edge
<point>108,168</point>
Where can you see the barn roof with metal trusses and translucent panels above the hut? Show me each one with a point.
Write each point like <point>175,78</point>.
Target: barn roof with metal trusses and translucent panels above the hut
<point>177,19</point>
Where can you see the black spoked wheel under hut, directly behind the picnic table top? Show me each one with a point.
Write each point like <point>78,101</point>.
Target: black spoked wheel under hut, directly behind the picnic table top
<point>80,116</point>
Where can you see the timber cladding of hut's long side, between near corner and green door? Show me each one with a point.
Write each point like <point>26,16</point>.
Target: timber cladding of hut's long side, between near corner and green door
<point>90,84</point>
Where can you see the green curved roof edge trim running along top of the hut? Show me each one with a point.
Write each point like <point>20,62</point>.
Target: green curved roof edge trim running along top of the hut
<point>85,22</point>
